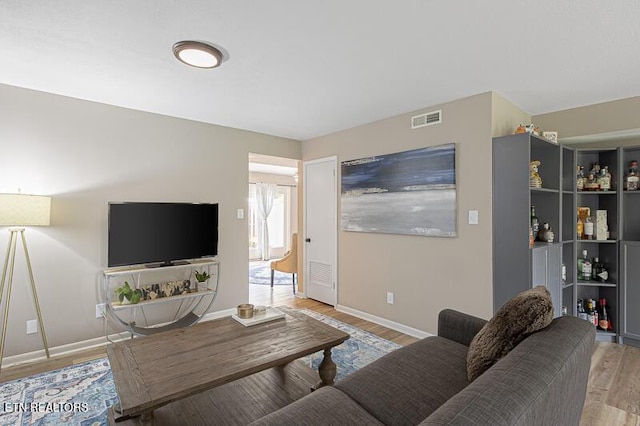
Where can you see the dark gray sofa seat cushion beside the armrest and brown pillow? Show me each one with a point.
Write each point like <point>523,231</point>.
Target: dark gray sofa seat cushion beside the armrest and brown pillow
<point>408,384</point>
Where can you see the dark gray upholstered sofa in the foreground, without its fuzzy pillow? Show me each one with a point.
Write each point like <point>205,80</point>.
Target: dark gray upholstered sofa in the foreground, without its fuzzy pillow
<point>542,381</point>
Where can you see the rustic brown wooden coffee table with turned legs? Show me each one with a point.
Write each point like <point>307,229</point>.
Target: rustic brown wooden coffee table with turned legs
<point>156,370</point>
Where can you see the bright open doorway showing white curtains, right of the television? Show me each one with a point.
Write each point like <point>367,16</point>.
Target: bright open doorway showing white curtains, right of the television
<point>272,218</point>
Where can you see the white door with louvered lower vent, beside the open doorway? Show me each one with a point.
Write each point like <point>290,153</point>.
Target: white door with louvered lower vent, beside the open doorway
<point>320,230</point>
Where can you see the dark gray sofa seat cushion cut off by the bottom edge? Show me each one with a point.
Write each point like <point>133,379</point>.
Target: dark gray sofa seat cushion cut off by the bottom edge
<point>326,406</point>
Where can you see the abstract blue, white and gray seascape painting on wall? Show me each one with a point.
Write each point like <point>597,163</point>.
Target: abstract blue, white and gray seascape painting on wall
<point>411,192</point>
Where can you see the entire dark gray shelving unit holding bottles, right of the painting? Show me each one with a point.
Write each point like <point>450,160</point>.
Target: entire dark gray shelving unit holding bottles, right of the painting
<point>516,267</point>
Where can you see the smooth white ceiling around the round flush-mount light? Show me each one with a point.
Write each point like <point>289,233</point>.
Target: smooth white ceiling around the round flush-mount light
<point>301,69</point>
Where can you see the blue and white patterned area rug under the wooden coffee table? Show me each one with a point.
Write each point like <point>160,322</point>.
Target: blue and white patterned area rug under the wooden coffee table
<point>81,394</point>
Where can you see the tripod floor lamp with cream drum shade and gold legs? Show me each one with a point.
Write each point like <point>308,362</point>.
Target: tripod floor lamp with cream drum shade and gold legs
<point>17,211</point>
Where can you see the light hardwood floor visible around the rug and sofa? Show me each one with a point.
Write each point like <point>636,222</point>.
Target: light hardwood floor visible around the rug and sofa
<point>613,394</point>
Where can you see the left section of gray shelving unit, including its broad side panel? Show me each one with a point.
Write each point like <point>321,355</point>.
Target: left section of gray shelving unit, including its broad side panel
<point>516,266</point>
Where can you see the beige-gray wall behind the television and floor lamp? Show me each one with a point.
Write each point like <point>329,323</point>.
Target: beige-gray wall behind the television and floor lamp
<point>86,154</point>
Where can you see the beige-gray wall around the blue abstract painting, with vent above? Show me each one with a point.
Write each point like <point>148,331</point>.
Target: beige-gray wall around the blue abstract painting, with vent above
<point>426,274</point>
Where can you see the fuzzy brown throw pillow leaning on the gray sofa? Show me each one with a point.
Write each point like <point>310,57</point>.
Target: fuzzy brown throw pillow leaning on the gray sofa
<point>529,311</point>
